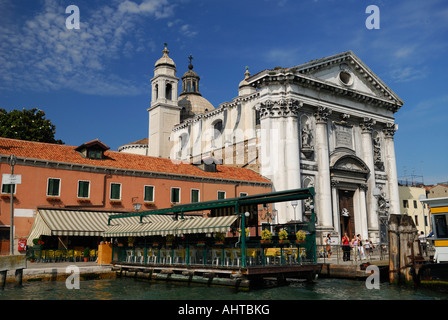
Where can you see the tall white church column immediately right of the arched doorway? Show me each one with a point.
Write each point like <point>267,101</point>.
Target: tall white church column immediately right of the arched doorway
<point>367,155</point>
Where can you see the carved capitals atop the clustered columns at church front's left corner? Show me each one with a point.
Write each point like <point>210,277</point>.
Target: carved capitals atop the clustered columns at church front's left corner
<point>279,108</point>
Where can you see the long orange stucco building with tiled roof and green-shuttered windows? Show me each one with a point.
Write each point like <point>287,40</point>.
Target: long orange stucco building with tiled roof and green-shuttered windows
<point>92,178</point>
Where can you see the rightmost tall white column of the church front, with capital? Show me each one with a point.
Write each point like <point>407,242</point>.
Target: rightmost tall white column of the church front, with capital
<point>391,168</point>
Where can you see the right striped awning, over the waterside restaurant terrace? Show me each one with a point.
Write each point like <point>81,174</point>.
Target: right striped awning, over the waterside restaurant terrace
<point>181,226</point>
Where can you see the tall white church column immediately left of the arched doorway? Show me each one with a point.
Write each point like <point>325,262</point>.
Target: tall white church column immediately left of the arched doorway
<point>323,165</point>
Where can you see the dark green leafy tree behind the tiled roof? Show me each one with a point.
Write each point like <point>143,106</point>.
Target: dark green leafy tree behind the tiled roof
<point>28,125</point>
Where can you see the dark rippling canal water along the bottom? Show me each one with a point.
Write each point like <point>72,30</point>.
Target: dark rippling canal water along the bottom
<point>133,289</point>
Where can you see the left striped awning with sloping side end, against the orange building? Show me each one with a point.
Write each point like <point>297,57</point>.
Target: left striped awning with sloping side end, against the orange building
<point>52,222</point>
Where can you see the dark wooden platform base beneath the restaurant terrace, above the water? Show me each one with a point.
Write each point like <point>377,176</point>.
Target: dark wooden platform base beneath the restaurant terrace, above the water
<point>237,277</point>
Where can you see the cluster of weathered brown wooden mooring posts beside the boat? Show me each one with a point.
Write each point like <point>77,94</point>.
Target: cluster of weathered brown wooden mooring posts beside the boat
<point>403,243</point>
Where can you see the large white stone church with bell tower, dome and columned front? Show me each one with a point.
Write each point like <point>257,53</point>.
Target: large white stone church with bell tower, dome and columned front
<point>328,123</point>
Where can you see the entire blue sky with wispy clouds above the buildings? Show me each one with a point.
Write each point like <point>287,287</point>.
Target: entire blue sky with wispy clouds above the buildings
<point>95,82</point>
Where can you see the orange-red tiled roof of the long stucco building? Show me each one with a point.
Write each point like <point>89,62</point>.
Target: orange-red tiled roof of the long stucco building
<point>120,160</point>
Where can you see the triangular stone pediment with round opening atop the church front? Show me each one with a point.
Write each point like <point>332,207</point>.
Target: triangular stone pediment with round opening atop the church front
<point>347,71</point>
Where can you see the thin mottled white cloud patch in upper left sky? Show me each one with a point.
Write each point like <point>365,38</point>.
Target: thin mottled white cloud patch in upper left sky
<point>42,54</point>
